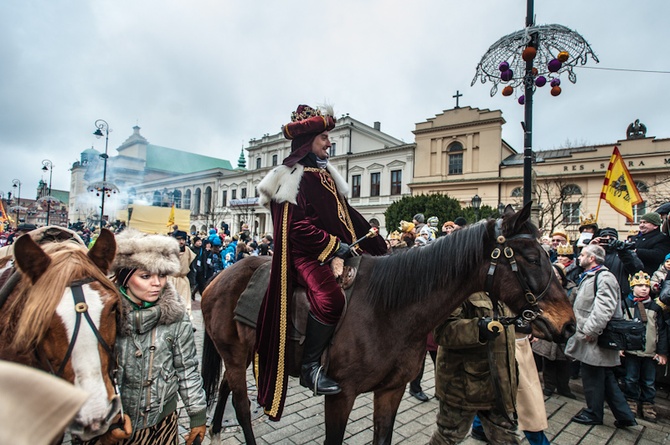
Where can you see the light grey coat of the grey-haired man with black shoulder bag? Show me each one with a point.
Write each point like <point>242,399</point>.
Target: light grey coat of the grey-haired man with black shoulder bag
<point>592,312</point>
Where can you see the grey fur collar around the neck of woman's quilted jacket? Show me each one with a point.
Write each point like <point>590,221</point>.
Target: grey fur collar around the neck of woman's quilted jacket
<point>169,309</point>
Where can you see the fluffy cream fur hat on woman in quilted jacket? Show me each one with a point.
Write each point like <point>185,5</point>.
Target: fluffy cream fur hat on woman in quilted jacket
<point>153,253</point>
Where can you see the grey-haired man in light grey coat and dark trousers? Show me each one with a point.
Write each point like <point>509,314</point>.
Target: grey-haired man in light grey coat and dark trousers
<point>596,303</point>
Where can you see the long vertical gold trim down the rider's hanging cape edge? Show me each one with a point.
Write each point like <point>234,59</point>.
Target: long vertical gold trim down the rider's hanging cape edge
<point>283,311</point>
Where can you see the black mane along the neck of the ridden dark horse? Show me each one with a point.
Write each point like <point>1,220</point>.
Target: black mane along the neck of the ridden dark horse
<point>408,277</point>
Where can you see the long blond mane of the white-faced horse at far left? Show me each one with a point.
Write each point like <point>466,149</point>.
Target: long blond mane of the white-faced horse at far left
<point>33,307</point>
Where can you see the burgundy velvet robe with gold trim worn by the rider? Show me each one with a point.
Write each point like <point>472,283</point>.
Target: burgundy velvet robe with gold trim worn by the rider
<point>310,229</point>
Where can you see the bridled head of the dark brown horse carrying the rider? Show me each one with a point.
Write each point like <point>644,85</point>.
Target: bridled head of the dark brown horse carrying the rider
<point>520,274</point>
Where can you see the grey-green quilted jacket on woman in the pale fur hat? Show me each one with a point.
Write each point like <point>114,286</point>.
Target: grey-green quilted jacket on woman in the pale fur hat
<point>172,368</point>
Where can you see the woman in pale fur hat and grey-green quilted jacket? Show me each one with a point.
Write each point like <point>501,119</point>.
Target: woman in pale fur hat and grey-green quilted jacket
<point>155,342</point>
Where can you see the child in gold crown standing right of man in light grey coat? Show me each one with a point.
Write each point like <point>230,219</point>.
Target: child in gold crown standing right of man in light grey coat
<point>639,383</point>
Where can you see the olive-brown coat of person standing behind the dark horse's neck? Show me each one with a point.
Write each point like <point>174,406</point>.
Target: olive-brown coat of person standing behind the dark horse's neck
<point>463,378</point>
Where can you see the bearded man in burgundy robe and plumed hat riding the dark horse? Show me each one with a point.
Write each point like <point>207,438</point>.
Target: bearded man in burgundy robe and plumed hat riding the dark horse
<point>314,227</point>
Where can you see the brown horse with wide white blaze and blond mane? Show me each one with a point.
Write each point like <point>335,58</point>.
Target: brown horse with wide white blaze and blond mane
<point>60,316</point>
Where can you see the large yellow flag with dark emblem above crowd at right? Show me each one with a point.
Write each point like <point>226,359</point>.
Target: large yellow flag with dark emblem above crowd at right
<point>619,190</point>
